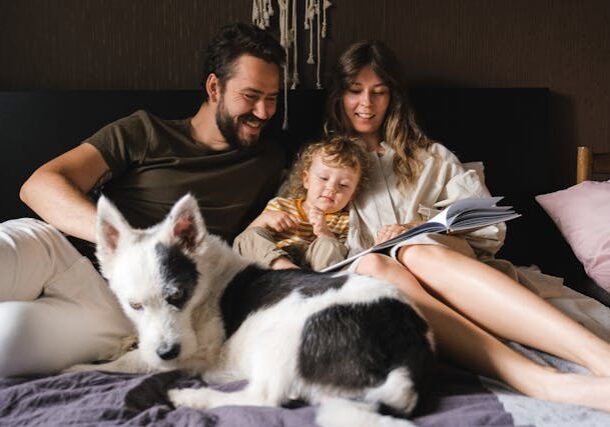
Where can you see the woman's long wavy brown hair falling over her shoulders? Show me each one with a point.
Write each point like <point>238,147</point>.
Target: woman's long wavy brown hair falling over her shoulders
<point>399,129</point>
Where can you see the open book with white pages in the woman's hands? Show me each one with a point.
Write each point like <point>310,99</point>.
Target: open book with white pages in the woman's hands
<point>462,215</point>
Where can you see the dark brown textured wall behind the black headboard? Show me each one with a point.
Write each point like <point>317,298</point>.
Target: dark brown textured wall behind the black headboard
<point>157,44</point>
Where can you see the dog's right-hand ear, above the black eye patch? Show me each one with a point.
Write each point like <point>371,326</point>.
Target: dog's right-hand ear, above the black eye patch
<point>186,225</point>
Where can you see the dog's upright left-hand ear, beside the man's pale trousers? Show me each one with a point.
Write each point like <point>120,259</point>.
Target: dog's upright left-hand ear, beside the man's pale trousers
<point>111,226</point>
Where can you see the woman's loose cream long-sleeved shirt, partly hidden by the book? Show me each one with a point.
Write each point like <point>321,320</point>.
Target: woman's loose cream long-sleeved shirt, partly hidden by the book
<point>441,181</point>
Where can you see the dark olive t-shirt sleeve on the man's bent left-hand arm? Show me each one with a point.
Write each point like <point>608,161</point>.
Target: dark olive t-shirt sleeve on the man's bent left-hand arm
<point>122,142</point>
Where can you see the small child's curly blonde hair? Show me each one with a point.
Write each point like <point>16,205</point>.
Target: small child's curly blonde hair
<point>337,151</point>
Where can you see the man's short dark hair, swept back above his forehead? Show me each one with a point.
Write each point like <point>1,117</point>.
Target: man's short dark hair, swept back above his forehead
<point>235,40</point>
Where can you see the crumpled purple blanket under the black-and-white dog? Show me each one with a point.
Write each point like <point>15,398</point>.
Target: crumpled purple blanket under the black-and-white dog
<point>453,398</point>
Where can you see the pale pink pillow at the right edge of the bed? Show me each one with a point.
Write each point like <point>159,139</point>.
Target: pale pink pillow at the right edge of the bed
<point>582,214</point>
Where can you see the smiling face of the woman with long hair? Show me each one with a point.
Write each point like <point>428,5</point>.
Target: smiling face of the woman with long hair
<point>365,103</point>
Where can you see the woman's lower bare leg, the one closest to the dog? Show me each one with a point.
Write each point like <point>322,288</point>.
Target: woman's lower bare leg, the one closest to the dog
<point>463,342</point>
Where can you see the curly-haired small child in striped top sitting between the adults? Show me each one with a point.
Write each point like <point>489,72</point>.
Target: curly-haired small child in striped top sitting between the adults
<point>309,228</point>
